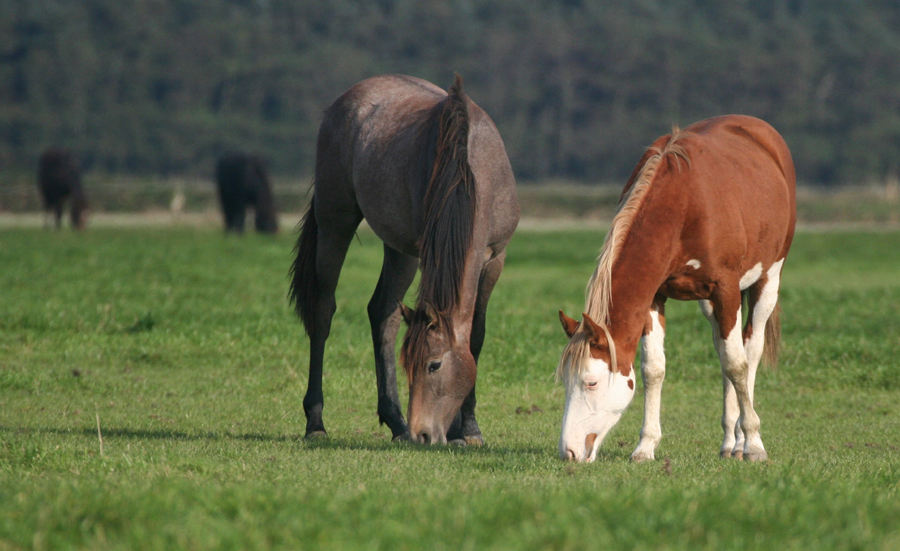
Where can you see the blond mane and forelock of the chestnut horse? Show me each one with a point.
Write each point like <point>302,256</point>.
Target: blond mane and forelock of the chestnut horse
<point>598,294</point>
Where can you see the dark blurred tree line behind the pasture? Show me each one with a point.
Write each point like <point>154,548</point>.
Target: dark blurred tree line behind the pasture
<point>577,87</point>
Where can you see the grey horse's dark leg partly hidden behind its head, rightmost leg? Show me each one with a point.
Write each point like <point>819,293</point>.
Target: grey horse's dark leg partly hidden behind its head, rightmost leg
<point>468,425</point>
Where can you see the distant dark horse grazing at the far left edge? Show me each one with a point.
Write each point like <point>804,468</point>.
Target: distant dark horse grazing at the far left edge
<point>59,179</point>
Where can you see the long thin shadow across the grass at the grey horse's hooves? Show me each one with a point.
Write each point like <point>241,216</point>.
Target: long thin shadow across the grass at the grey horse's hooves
<point>361,443</point>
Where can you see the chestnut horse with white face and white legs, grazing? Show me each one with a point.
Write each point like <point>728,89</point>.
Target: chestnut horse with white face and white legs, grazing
<point>708,215</point>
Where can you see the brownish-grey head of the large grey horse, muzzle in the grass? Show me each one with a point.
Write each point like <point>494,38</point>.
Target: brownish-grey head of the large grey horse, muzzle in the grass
<point>440,370</point>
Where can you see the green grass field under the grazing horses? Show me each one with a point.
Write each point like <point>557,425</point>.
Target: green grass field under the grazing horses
<point>180,345</point>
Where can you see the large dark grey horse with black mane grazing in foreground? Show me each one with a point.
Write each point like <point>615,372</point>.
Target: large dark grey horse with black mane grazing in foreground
<point>428,171</point>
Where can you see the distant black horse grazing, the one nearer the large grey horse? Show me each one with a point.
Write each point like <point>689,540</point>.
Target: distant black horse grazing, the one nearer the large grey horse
<point>242,181</point>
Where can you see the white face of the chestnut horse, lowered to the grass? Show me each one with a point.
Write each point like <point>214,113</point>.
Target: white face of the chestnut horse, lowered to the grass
<point>595,402</point>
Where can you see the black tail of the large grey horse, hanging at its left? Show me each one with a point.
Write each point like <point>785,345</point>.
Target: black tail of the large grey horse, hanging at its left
<point>304,285</point>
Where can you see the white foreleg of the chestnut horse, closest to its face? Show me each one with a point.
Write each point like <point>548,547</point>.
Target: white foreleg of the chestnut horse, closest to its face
<point>653,372</point>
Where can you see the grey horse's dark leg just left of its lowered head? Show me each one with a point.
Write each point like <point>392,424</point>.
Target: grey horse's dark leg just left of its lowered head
<point>397,274</point>
